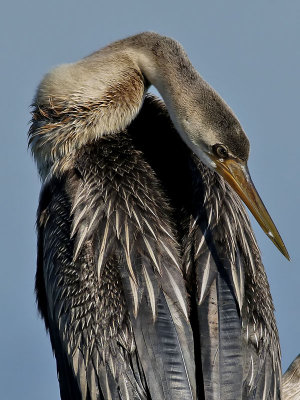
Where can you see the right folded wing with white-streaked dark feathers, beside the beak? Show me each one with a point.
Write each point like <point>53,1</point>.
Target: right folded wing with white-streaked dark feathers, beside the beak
<point>238,339</point>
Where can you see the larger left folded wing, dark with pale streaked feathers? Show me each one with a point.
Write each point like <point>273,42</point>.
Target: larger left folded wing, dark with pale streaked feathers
<point>115,295</point>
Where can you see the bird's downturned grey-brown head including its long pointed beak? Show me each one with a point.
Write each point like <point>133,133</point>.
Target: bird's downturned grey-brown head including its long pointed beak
<point>215,135</point>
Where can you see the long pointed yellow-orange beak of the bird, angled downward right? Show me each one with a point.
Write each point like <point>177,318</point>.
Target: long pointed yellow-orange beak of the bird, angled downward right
<point>236,173</point>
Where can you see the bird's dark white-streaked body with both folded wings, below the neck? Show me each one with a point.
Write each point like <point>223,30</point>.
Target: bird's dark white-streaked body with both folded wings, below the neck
<point>149,277</point>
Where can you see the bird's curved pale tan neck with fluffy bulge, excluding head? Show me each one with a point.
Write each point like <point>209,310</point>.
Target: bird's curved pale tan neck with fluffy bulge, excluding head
<point>102,93</point>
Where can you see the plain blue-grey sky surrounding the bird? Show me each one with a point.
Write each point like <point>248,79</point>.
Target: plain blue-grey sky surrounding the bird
<point>247,50</point>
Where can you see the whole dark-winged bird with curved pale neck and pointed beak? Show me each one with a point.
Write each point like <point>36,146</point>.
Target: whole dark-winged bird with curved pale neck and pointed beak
<point>149,278</point>
